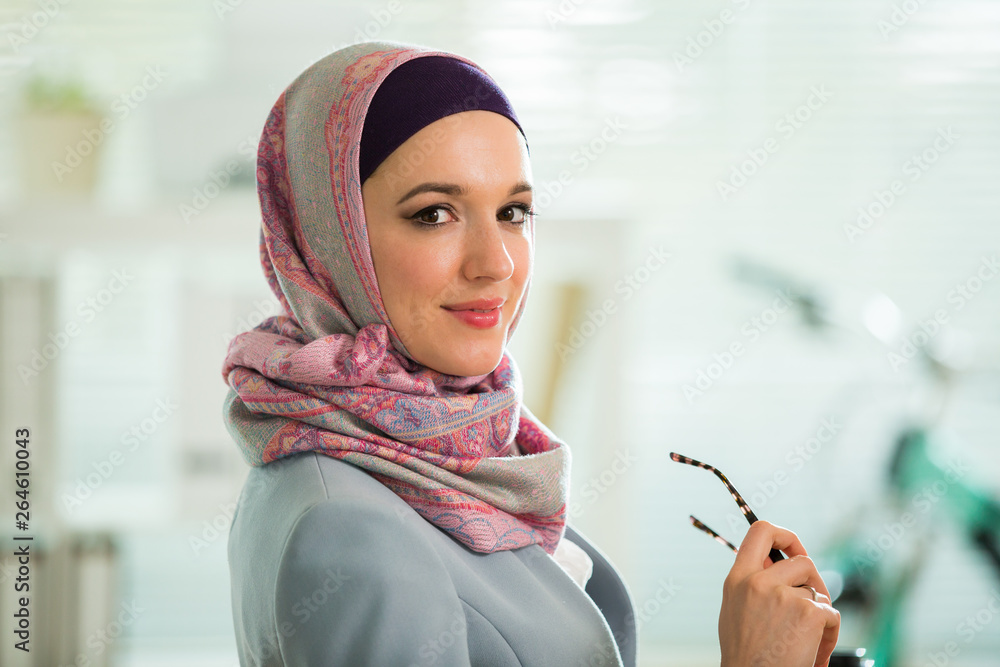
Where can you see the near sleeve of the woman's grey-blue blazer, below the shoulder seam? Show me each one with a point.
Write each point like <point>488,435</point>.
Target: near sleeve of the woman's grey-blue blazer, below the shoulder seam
<point>360,584</point>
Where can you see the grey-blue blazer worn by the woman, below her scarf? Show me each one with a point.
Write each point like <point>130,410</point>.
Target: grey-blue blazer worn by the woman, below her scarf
<point>329,567</point>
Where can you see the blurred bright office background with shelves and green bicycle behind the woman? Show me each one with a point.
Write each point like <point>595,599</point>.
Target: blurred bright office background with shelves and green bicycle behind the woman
<point>768,239</point>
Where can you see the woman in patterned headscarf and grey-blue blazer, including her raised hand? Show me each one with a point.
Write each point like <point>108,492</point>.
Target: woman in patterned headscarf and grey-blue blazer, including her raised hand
<point>405,508</point>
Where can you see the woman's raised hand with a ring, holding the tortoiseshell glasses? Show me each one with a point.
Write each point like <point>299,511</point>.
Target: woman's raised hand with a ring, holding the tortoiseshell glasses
<point>765,619</point>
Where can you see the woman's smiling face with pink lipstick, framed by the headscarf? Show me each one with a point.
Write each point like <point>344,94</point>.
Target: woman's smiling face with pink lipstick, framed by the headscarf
<point>448,225</point>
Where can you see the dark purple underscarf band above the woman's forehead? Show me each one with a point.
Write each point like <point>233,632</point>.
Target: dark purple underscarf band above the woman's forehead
<point>419,92</point>
